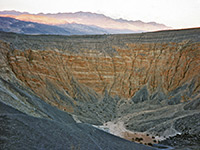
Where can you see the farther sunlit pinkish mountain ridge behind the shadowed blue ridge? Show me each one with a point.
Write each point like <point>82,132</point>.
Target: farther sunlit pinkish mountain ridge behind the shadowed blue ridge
<point>87,18</point>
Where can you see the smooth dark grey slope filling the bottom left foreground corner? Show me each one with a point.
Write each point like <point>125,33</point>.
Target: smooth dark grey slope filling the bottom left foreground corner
<point>19,131</point>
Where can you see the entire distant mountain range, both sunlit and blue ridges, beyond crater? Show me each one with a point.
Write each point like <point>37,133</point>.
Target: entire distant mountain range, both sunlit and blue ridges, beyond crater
<point>72,23</point>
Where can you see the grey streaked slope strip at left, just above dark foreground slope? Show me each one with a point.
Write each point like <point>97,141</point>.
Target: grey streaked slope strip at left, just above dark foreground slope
<point>30,103</point>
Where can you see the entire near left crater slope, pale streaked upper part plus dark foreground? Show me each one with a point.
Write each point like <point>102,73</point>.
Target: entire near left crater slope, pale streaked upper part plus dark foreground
<point>27,122</point>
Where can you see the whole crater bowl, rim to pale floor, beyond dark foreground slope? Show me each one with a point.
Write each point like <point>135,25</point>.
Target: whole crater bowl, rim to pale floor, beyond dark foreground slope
<point>137,85</point>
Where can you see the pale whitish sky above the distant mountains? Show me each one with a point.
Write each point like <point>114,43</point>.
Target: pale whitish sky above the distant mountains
<point>174,13</point>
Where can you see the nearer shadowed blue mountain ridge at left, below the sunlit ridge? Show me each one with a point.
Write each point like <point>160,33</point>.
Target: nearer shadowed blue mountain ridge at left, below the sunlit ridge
<point>26,27</point>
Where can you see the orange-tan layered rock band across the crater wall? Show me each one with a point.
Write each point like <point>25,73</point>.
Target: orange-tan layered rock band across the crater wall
<point>166,66</point>
